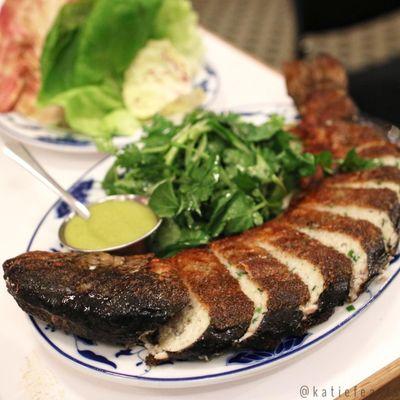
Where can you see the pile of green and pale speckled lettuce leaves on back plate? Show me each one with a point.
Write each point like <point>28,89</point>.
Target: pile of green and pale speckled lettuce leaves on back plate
<point>91,45</point>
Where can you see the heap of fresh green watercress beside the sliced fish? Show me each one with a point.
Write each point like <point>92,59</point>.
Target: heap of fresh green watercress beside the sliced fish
<point>213,175</point>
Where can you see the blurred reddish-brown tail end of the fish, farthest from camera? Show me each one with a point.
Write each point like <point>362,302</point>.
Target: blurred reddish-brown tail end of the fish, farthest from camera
<point>330,120</point>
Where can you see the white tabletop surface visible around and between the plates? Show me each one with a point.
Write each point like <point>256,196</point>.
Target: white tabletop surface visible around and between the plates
<point>29,371</point>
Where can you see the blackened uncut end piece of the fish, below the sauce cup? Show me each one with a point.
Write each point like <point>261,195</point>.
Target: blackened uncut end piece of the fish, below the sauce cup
<point>99,296</point>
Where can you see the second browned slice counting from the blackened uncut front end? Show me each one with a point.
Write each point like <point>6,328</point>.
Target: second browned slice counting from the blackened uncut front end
<point>276,292</point>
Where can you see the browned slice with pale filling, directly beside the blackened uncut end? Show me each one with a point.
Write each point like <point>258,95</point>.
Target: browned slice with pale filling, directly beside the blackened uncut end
<point>218,315</point>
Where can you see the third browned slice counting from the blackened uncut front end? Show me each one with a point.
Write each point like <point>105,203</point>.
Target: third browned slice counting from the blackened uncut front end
<point>326,272</point>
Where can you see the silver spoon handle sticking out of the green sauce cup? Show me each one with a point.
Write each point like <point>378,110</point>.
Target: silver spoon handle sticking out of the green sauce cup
<point>17,152</point>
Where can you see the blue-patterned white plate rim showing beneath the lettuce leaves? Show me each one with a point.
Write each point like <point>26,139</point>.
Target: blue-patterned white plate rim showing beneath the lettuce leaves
<point>34,133</point>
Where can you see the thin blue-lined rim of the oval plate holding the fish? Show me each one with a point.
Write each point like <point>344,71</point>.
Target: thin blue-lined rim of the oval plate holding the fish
<point>212,377</point>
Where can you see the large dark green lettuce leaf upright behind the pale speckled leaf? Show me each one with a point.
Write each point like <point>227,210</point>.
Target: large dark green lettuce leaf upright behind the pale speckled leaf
<point>94,41</point>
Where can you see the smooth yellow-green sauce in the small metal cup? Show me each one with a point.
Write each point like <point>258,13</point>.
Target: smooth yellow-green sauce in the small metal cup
<point>111,223</point>
